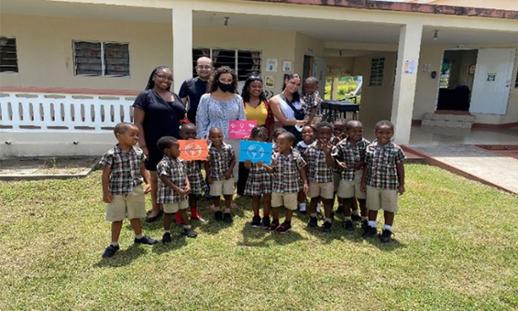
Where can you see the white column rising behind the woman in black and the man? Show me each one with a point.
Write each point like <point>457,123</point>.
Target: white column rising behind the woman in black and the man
<point>182,43</point>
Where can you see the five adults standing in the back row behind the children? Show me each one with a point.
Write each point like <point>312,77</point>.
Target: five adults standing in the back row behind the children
<point>209,100</point>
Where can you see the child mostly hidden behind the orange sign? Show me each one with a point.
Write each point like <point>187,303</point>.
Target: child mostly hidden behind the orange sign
<point>193,169</point>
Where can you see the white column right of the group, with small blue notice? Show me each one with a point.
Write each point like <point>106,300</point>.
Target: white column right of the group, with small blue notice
<point>405,84</point>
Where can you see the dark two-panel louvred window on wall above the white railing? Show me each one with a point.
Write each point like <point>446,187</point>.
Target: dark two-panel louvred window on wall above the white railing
<point>101,59</point>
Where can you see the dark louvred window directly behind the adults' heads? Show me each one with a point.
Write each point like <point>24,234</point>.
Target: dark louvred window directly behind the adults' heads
<point>244,62</point>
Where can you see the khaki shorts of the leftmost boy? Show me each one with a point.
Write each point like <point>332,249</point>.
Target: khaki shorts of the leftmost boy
<point>131,205</point>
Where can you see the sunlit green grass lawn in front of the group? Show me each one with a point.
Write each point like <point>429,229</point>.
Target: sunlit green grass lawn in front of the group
<point>456,249</point>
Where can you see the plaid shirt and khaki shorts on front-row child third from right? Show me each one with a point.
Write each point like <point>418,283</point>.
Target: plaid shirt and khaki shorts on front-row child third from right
<point>320,175</point>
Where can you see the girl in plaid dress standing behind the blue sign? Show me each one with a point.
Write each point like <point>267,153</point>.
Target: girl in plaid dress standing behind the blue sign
<point>259,183</point>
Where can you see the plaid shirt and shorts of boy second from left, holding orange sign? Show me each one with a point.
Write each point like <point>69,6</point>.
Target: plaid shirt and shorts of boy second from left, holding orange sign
<point>174,170</point>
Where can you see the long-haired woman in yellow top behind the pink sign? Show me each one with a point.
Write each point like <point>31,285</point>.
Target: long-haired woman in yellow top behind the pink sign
<point>256,108</point>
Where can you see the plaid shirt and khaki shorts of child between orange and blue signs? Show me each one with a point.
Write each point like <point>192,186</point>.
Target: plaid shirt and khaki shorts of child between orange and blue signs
<point>219,163</point>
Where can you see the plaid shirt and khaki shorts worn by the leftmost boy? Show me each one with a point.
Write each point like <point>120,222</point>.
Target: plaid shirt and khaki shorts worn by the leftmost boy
<point>125,183</point>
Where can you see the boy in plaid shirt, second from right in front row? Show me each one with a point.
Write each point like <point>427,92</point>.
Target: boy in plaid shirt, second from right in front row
<point>349,156</point>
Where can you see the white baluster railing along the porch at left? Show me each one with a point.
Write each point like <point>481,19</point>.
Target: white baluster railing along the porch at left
<point>63,112</point>
